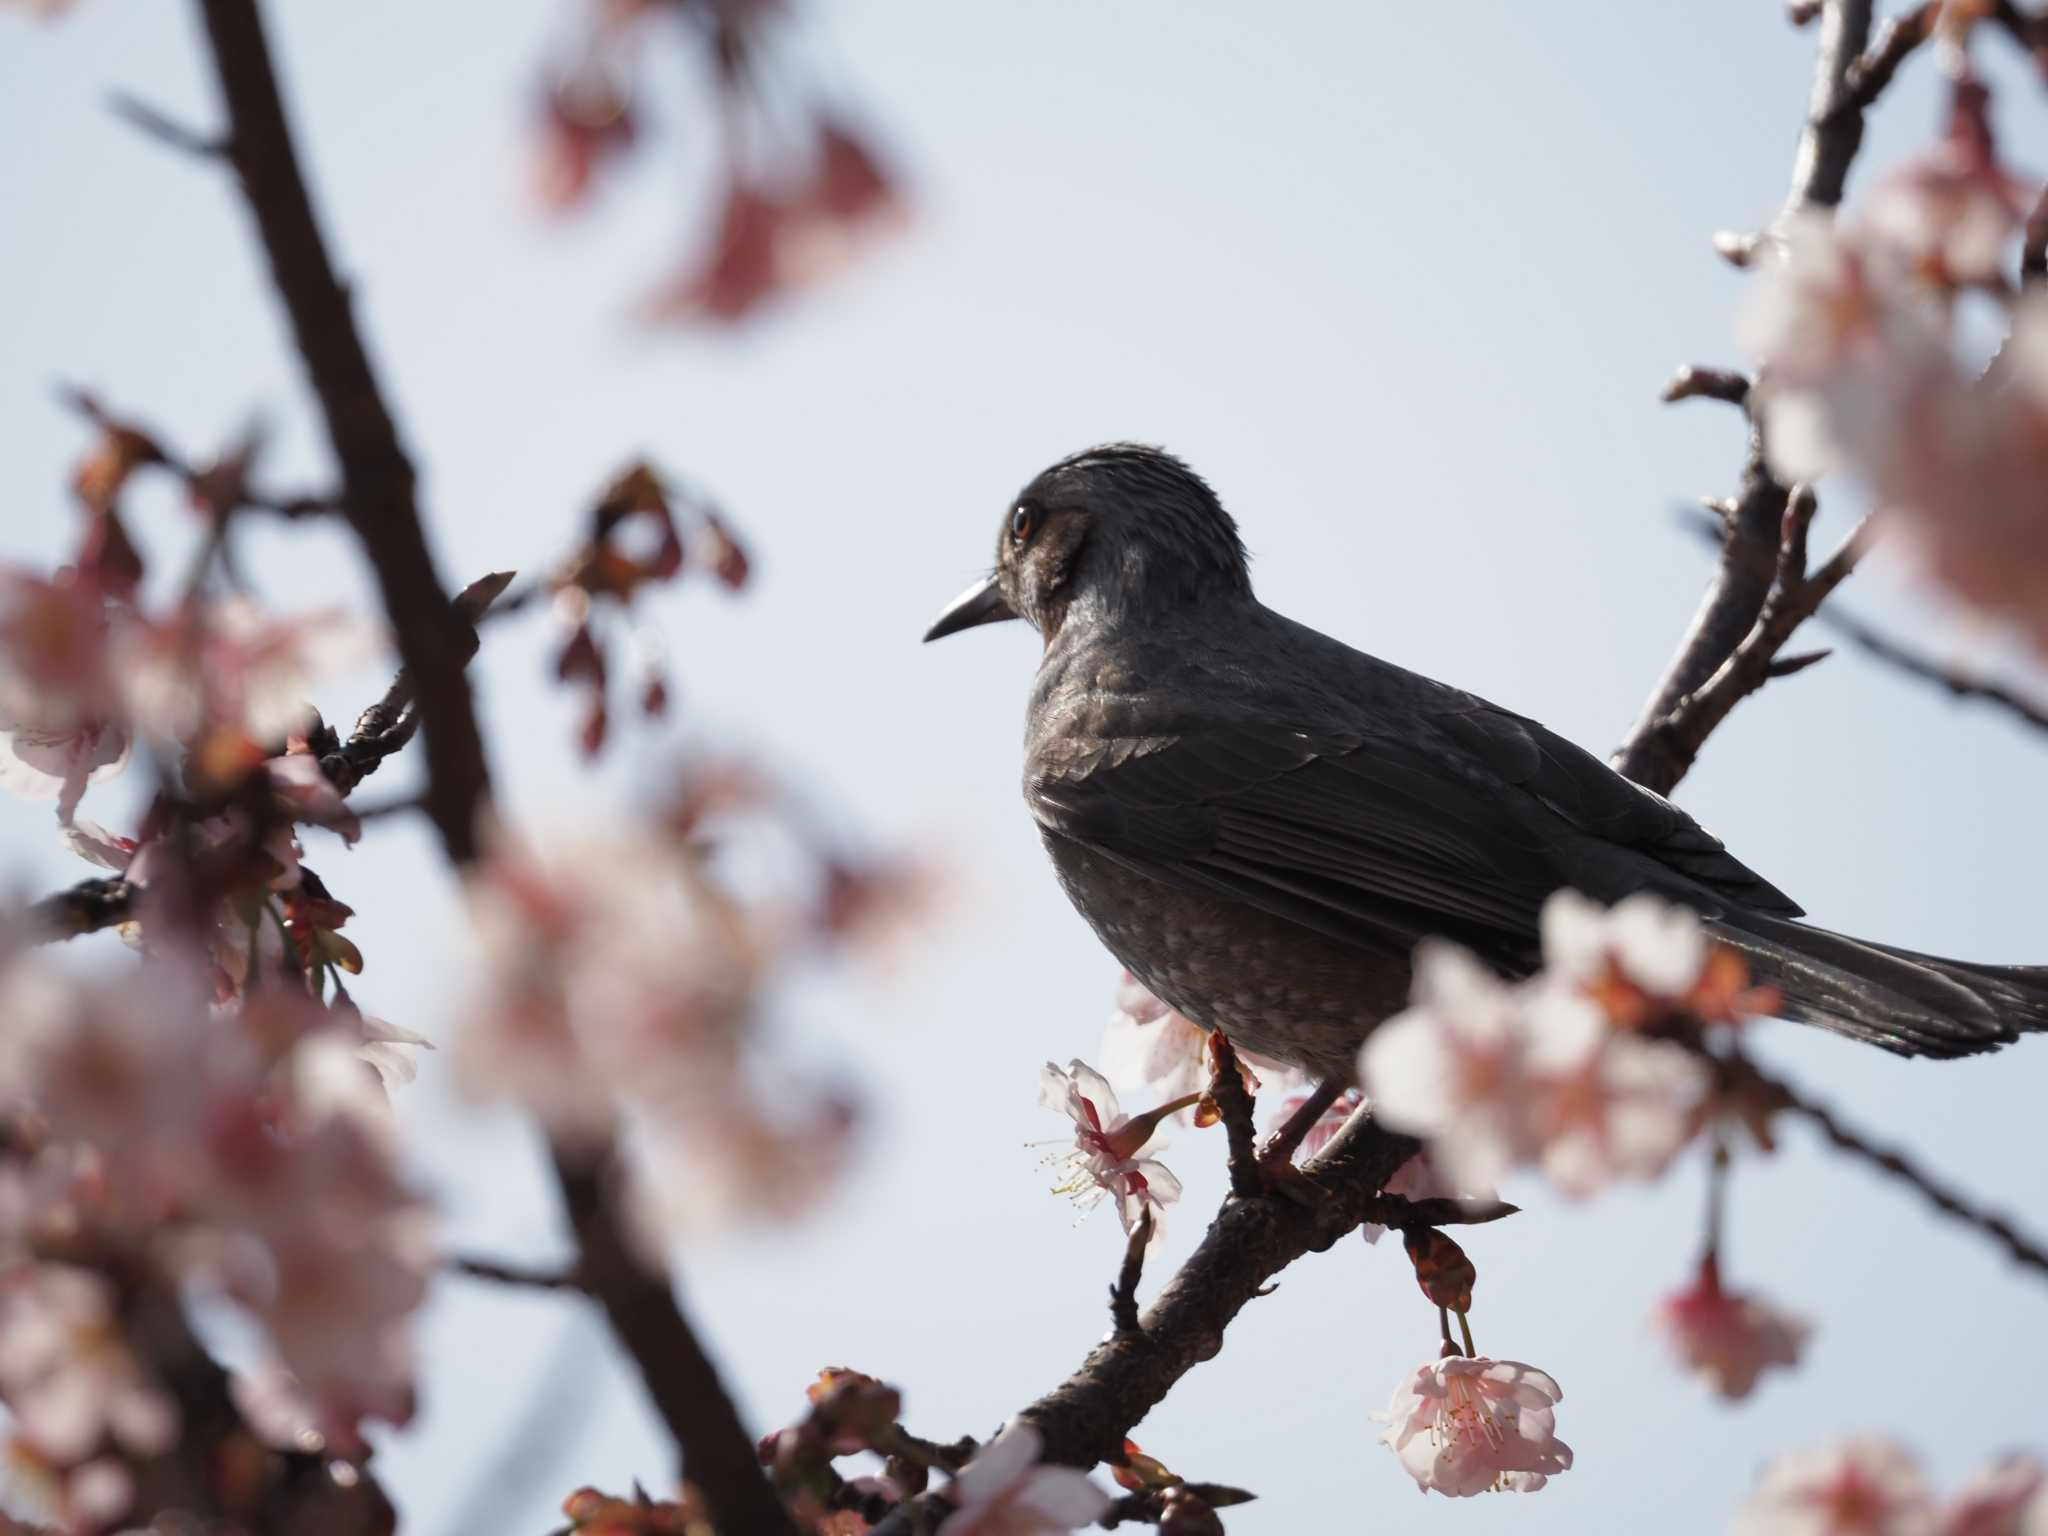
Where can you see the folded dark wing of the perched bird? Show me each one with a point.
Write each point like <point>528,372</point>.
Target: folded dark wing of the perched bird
<point>1459,826</point>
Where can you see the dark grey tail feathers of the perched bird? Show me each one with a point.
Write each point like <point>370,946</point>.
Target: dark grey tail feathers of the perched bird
<point>1906,1002</point>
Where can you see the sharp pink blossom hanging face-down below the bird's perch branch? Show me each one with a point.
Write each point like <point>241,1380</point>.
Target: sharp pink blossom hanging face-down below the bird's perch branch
<point>1467,1424</point>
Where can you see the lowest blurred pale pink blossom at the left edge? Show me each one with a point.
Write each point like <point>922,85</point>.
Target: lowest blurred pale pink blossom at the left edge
<point>67,1369</point>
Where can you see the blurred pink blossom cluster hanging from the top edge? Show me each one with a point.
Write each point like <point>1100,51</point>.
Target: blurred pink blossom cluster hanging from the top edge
<point>802,191</point>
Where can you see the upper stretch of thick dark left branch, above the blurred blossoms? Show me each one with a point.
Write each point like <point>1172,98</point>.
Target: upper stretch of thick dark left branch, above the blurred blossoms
<point>378,478</point>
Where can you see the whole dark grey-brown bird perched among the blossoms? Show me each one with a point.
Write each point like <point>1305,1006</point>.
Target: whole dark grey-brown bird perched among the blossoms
<point>1263,822</point>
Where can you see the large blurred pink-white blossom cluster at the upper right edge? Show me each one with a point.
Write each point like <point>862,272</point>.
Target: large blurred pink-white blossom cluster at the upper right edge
<point>1869,364</point>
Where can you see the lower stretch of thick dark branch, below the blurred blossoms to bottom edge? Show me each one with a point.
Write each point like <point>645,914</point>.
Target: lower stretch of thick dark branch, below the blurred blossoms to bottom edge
<point>638,1299</point>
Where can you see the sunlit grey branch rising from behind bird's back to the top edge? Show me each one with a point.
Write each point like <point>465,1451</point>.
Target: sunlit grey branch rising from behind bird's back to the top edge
<point>1736,601</point>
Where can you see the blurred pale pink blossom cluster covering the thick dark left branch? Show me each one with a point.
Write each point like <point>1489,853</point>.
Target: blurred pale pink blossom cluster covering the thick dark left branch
<point>622,980</point>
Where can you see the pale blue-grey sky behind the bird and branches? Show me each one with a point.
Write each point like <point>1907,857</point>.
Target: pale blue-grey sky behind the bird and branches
<point>1400,280</point>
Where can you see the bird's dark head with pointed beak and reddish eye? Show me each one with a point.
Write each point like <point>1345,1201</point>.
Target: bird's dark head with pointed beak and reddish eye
<point>1113,534</point>
